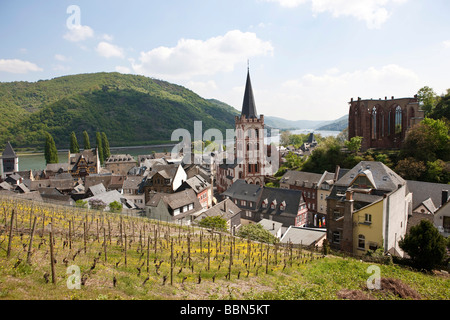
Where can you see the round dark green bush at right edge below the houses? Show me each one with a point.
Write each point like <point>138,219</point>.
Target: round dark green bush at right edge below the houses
<point>425,245</point>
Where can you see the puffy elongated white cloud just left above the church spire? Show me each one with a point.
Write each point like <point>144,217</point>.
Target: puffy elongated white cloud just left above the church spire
<point>191,57</point>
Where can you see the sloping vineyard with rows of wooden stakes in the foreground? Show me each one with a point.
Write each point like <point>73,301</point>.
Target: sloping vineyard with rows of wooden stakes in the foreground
<point>55,252</point>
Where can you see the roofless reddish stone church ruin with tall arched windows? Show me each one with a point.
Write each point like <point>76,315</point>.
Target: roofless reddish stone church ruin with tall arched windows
<point>383,124</point>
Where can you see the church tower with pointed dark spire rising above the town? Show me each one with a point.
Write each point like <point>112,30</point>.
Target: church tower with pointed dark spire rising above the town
<point>250,139</point>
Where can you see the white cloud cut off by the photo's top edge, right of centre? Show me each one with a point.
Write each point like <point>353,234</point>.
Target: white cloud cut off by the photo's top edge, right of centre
<point>373,12</point>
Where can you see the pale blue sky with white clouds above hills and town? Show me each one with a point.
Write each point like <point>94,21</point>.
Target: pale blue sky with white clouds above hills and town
<point>308,58</point>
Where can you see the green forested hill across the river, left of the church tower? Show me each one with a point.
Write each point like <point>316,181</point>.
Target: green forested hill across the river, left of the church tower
<point>130,109</point>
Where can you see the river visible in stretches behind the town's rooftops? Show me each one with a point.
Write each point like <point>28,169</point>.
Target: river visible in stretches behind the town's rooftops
<point>37,161</point>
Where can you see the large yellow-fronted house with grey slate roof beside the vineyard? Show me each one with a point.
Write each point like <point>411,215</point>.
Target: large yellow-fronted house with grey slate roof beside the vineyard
<point>368,208</point>
